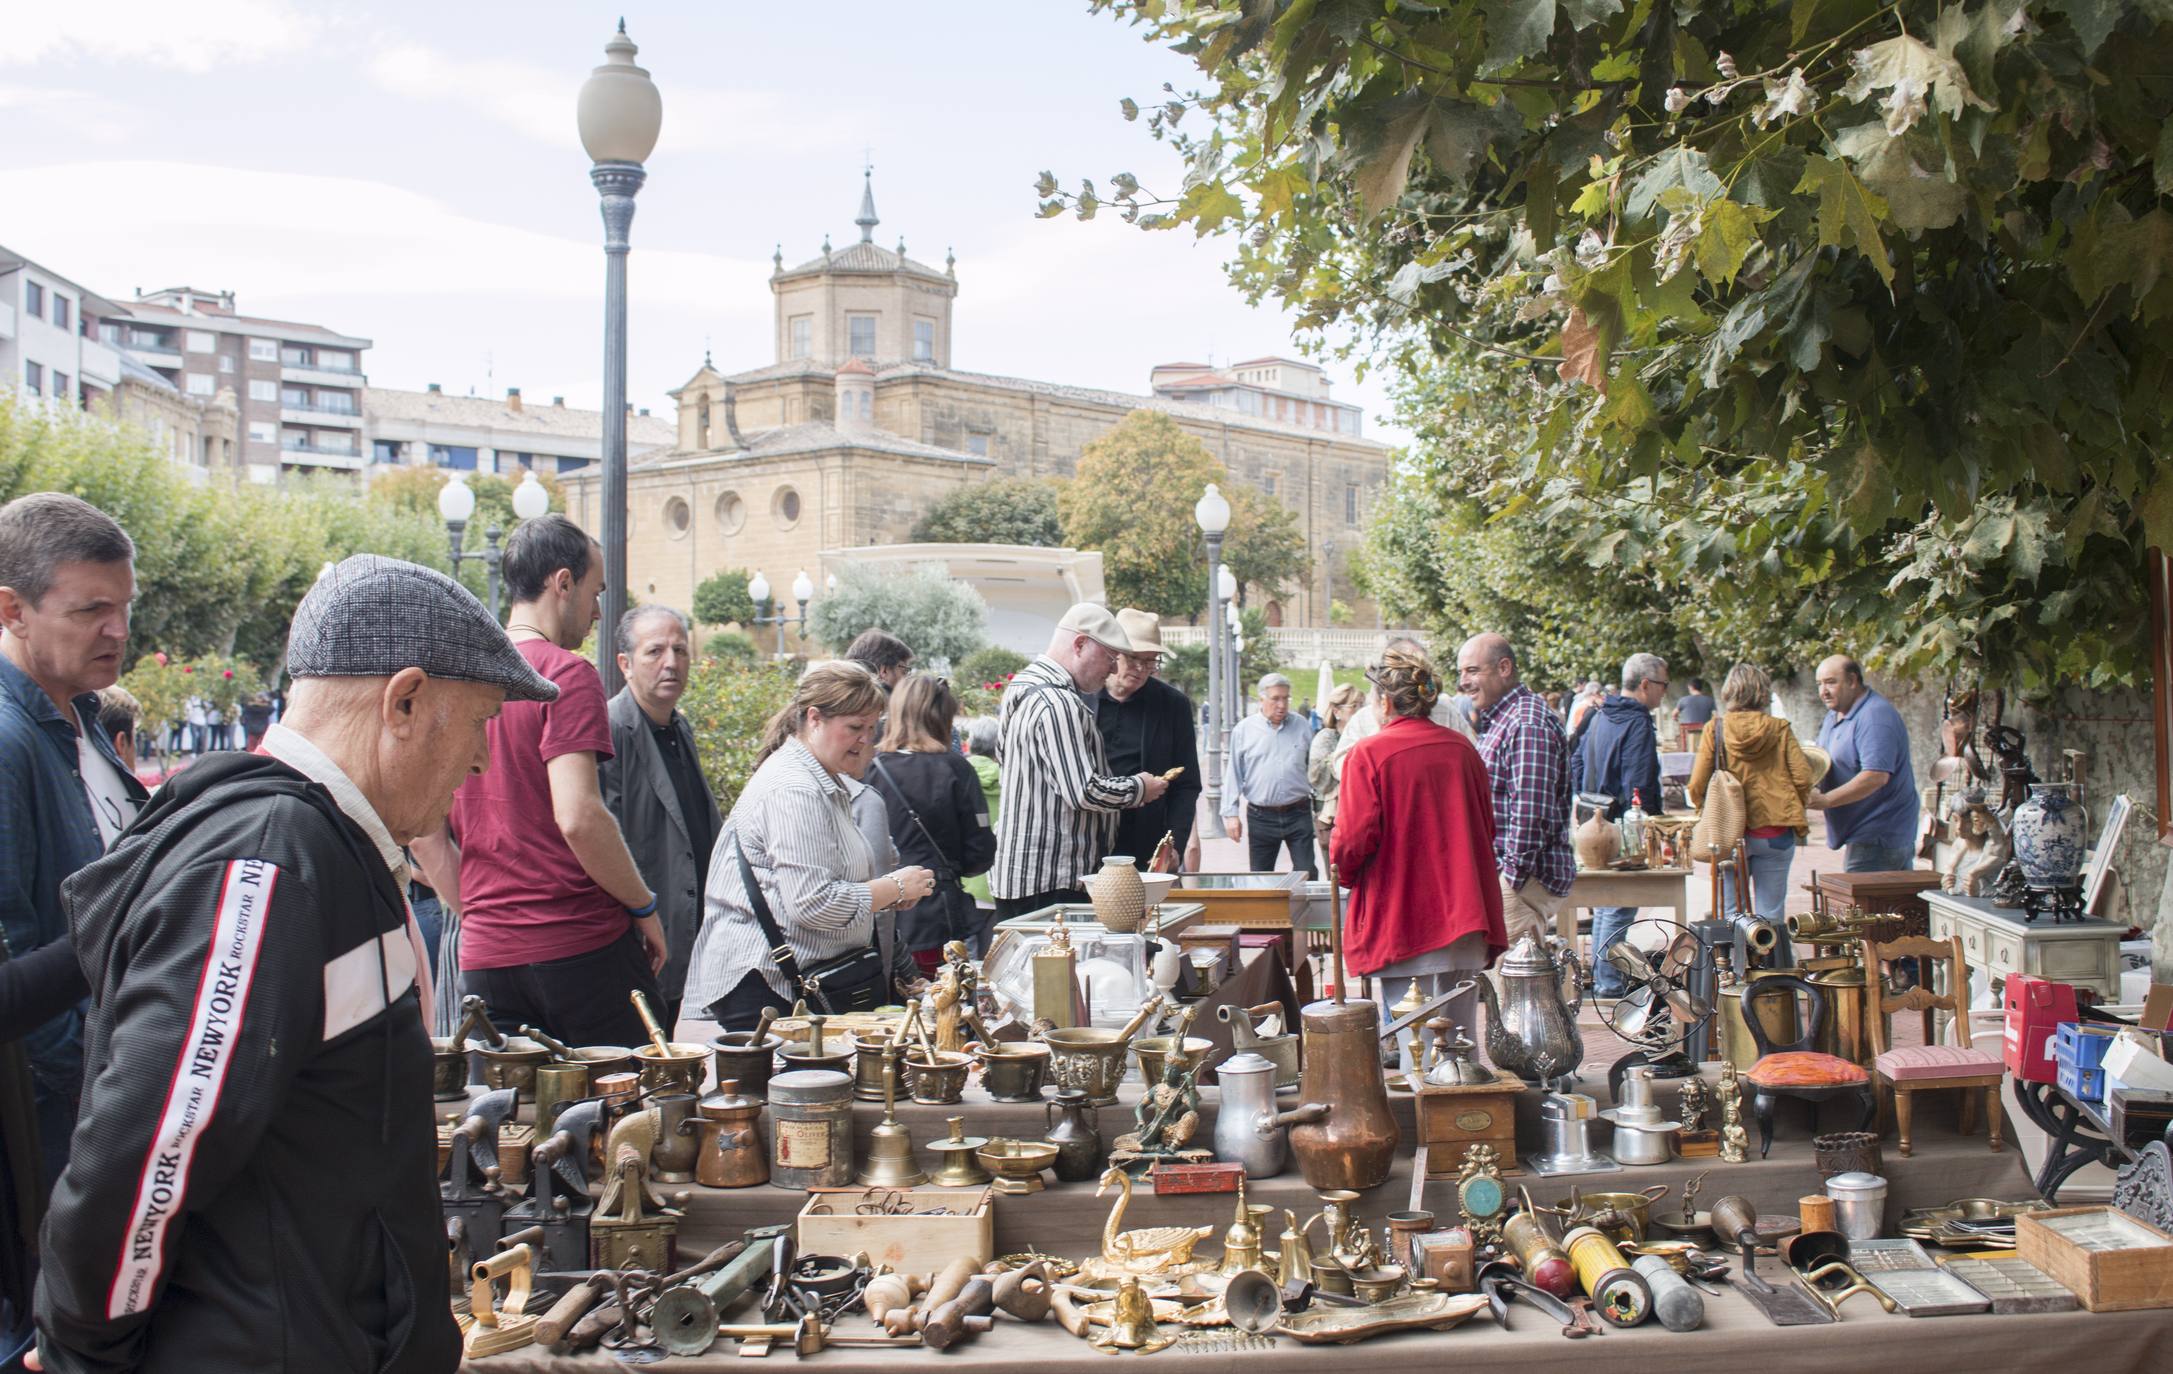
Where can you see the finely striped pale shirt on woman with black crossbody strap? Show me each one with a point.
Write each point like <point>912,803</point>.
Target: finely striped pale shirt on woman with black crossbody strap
<point>814,869</point>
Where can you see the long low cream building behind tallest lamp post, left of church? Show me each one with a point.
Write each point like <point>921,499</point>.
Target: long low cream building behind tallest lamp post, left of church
<point>481,434</point>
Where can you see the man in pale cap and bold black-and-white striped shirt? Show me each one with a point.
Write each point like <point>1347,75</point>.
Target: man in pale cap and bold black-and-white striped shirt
<point>1059,797</point>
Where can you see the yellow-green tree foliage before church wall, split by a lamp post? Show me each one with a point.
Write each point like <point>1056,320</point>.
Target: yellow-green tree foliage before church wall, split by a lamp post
<point>1133,499</point>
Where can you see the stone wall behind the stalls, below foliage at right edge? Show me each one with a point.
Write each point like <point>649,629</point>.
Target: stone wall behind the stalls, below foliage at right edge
<point>2113,727</point>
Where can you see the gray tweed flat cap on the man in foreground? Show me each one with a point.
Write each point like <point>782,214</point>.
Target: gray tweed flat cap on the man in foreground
<point>370,616</point>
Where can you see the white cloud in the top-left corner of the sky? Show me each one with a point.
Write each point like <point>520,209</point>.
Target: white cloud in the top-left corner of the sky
<point>188,38</point>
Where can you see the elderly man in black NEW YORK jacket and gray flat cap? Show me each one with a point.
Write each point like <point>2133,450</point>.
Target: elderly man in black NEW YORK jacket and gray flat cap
<point>253,1173</point>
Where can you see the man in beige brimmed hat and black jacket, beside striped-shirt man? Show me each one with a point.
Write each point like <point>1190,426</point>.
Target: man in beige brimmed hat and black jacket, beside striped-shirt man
<point>1148,727</point>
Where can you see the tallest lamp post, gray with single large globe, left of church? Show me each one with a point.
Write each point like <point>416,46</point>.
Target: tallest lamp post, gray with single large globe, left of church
<point>620,116</point>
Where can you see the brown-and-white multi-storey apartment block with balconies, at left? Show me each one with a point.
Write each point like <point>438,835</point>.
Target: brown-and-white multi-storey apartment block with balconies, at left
<point>299,386</point>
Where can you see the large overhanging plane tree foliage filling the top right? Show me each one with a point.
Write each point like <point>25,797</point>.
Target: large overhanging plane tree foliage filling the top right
<point>1868,303</point>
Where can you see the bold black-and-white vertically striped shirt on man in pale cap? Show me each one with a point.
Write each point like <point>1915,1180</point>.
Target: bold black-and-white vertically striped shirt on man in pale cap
<point>1059,803</point>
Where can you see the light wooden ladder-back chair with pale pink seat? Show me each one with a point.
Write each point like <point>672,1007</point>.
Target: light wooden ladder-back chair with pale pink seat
<point>1905,1073</point>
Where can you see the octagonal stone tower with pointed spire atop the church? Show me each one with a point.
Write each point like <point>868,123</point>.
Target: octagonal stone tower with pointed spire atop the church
<point>864,303</point>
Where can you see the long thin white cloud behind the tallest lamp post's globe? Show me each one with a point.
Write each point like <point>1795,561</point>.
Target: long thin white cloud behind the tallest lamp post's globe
<point>540,103</point>
